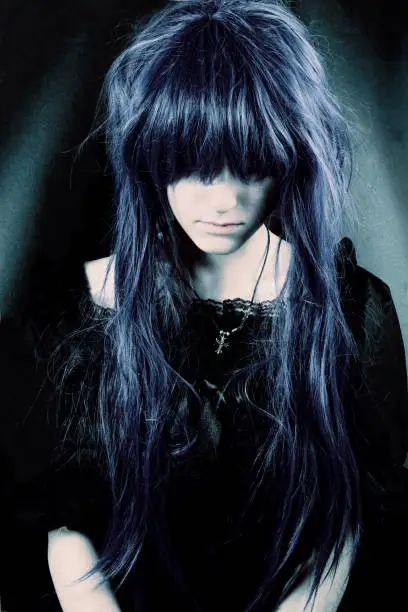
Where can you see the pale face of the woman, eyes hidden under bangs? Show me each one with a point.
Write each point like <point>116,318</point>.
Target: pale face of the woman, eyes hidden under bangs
<point>226,201</point>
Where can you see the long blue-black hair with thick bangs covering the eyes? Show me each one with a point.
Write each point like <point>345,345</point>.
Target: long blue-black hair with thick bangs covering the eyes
<point>202,84</point>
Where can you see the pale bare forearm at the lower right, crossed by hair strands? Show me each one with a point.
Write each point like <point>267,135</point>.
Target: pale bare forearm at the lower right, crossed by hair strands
<point>330,591</point>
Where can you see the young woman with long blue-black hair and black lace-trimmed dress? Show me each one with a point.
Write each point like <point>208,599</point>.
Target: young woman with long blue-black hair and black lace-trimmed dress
<point>226,381</point>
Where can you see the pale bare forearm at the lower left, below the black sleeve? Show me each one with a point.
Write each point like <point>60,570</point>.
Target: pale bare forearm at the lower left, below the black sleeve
<point>70,555</point>
